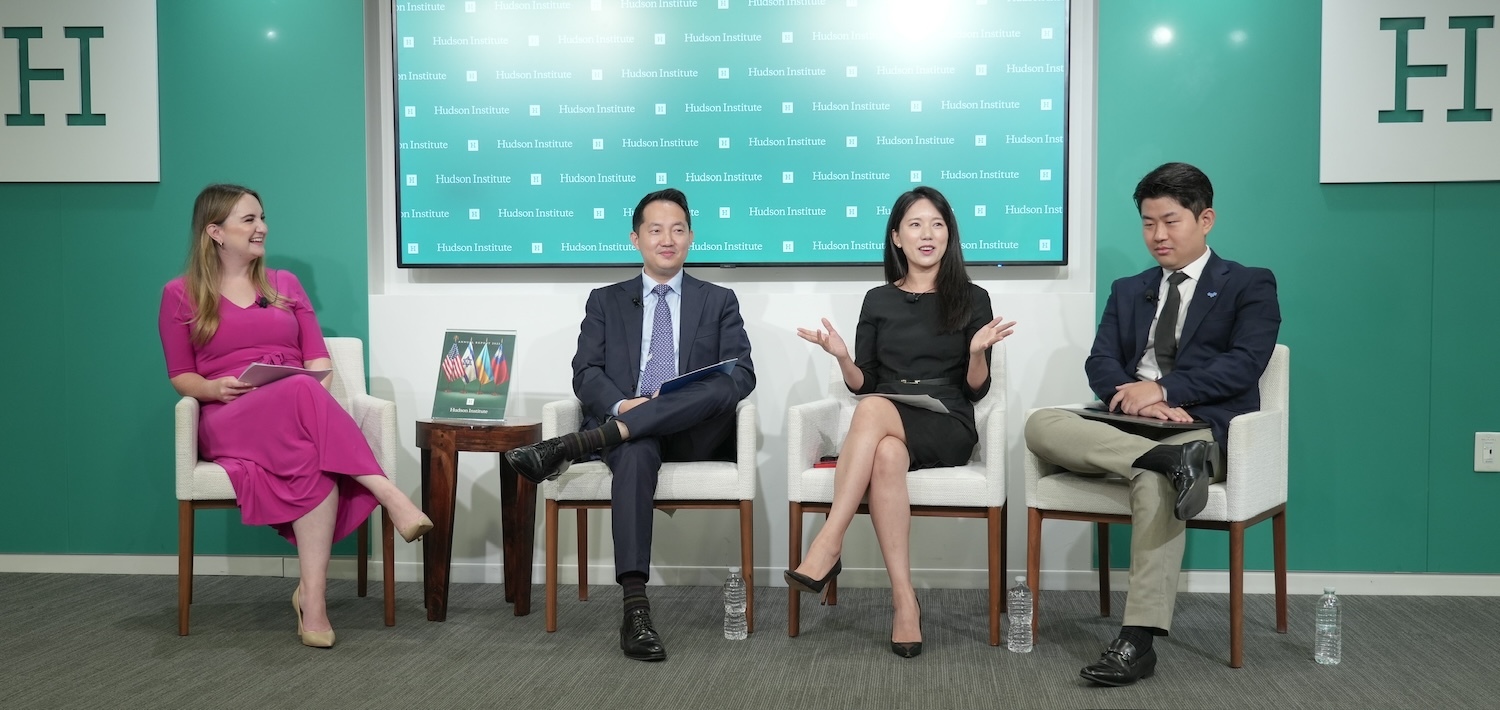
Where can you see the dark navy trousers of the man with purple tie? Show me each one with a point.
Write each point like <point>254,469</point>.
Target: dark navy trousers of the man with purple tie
<point>692,424</point>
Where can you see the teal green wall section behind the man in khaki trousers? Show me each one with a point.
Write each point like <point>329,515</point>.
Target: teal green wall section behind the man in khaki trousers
<point>1388,295</point>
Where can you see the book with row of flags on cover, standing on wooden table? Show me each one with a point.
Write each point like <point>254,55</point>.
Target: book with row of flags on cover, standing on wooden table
<point>475,375</point>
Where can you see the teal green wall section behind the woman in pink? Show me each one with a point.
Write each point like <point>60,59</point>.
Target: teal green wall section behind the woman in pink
<point>89,411</point>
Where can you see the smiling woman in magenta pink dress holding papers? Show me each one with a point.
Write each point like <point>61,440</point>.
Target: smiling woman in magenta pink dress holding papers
<point>298,462</point>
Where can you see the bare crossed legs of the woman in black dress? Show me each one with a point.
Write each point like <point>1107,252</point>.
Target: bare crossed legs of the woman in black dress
<point>874,465</point>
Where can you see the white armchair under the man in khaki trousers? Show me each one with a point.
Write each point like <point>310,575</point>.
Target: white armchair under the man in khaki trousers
<point>1255,490</point>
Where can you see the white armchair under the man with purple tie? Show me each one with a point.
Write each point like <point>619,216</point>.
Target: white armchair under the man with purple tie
<point>680,486</point>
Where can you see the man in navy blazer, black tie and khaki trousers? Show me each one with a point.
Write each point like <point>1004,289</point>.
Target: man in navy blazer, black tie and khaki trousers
<point>1183,341</point>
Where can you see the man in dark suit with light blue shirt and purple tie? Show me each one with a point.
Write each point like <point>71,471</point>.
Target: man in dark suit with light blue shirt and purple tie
<point>635,335</point>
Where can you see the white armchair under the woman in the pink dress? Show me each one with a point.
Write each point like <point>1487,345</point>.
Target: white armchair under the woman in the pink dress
<point>205,486</point>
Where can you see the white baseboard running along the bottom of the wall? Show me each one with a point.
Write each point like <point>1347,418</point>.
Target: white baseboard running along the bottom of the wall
<point>1213,582</point>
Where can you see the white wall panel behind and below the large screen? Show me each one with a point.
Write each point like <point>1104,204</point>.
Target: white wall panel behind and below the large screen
<point>410,310</point>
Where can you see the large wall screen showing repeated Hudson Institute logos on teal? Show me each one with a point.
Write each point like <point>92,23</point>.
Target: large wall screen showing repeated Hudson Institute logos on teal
<point>529,130</point>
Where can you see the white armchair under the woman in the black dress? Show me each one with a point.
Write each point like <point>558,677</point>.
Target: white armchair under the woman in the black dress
<point>976,490</point>
